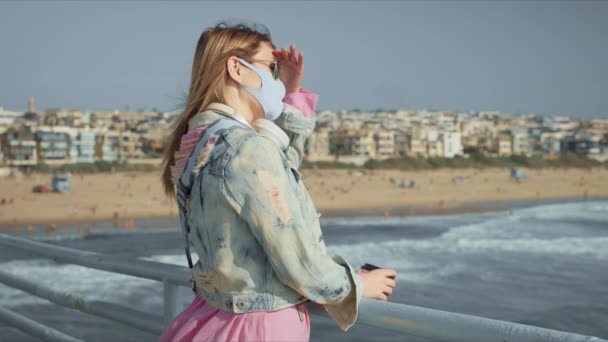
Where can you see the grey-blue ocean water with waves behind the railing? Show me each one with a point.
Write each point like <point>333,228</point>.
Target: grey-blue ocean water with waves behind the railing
<point>544,265</point>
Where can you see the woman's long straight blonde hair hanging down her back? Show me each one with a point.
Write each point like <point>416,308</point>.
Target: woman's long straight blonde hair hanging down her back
<point>209,75</point>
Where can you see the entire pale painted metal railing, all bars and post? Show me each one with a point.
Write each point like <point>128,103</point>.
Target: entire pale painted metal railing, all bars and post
<point>405,319</point>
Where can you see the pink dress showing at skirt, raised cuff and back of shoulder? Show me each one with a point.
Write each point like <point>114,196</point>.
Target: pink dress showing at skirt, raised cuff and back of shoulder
<point>202,321</point>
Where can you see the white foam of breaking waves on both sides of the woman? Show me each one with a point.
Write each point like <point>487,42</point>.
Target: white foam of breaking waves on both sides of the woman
<point>521,231</point>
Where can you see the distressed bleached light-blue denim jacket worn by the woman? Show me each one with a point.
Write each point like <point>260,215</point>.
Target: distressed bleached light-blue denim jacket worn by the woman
<point>255,228</point>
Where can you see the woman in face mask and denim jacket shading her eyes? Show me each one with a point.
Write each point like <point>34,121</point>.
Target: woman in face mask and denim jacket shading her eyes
<point>251,220</point>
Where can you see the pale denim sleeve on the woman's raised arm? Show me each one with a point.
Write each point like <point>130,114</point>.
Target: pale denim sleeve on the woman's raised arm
<point>298,128</point>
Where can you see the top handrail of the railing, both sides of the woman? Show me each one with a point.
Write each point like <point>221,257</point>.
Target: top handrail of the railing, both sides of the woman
<point>417,321</point>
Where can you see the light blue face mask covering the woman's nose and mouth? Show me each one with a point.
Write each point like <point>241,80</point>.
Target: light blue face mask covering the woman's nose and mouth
<point>270,95</point>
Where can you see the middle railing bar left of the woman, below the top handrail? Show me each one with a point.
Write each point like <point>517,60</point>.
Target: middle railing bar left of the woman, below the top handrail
<point>141,320</point>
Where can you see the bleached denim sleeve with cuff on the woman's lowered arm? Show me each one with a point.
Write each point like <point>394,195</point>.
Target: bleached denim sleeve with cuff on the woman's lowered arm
<point>258,187</point>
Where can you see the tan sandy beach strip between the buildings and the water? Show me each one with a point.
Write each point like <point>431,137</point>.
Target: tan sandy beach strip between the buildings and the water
<point>130,195</point>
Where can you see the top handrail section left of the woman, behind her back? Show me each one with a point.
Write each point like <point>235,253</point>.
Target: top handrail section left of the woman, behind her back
<point>134,267</point>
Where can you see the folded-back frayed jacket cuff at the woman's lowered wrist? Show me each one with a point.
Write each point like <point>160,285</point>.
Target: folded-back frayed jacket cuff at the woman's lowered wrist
<point>346,312</point>
